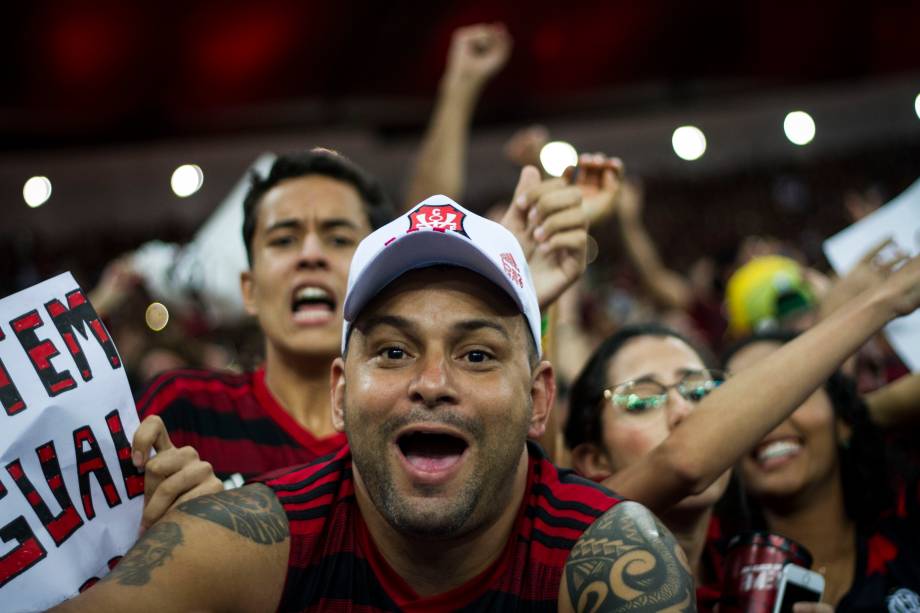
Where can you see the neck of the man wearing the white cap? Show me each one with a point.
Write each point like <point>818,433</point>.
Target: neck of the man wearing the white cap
<point>434,567</point>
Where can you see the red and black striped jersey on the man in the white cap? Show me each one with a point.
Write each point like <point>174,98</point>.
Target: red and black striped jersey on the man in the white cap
<point>335,565</point>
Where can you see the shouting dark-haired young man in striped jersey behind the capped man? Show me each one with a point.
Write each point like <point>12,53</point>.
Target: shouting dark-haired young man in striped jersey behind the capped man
<point>301,225</point>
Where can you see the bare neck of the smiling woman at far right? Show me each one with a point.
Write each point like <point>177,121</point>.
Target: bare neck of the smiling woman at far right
<point>817,519</point>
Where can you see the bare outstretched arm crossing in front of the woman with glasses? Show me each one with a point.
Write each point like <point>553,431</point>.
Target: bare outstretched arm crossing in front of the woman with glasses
<point>730,421</point>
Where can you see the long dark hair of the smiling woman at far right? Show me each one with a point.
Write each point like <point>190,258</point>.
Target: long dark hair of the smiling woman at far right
<point>865,479</point>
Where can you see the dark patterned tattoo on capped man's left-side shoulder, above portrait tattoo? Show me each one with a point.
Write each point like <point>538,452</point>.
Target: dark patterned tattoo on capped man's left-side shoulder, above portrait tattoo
<point>253,512</point>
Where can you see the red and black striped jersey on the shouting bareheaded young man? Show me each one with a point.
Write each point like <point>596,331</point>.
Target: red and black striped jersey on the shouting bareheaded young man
<point>233,421</point>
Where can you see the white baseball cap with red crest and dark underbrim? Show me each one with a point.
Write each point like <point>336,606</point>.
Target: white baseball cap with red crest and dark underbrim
<point>440,232</point>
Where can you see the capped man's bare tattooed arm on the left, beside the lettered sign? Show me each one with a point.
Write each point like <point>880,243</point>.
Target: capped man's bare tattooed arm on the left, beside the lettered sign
<point>223,552</point>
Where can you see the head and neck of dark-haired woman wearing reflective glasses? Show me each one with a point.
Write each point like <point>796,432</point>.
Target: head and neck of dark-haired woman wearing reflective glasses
<point>635,391</point>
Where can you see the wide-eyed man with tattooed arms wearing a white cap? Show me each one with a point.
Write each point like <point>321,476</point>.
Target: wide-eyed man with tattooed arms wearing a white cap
<point>438,502</point>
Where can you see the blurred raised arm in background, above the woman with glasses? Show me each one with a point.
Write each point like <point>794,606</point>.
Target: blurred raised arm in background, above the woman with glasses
<point>667,287</point>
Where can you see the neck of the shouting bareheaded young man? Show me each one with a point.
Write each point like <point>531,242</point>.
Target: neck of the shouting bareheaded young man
<point>301,385</point>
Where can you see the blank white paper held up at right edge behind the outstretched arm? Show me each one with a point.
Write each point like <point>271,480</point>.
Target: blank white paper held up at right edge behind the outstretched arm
<point>899,220</point>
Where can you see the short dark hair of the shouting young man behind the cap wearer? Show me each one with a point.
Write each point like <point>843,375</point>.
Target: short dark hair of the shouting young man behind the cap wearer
<point>316,161</point>
